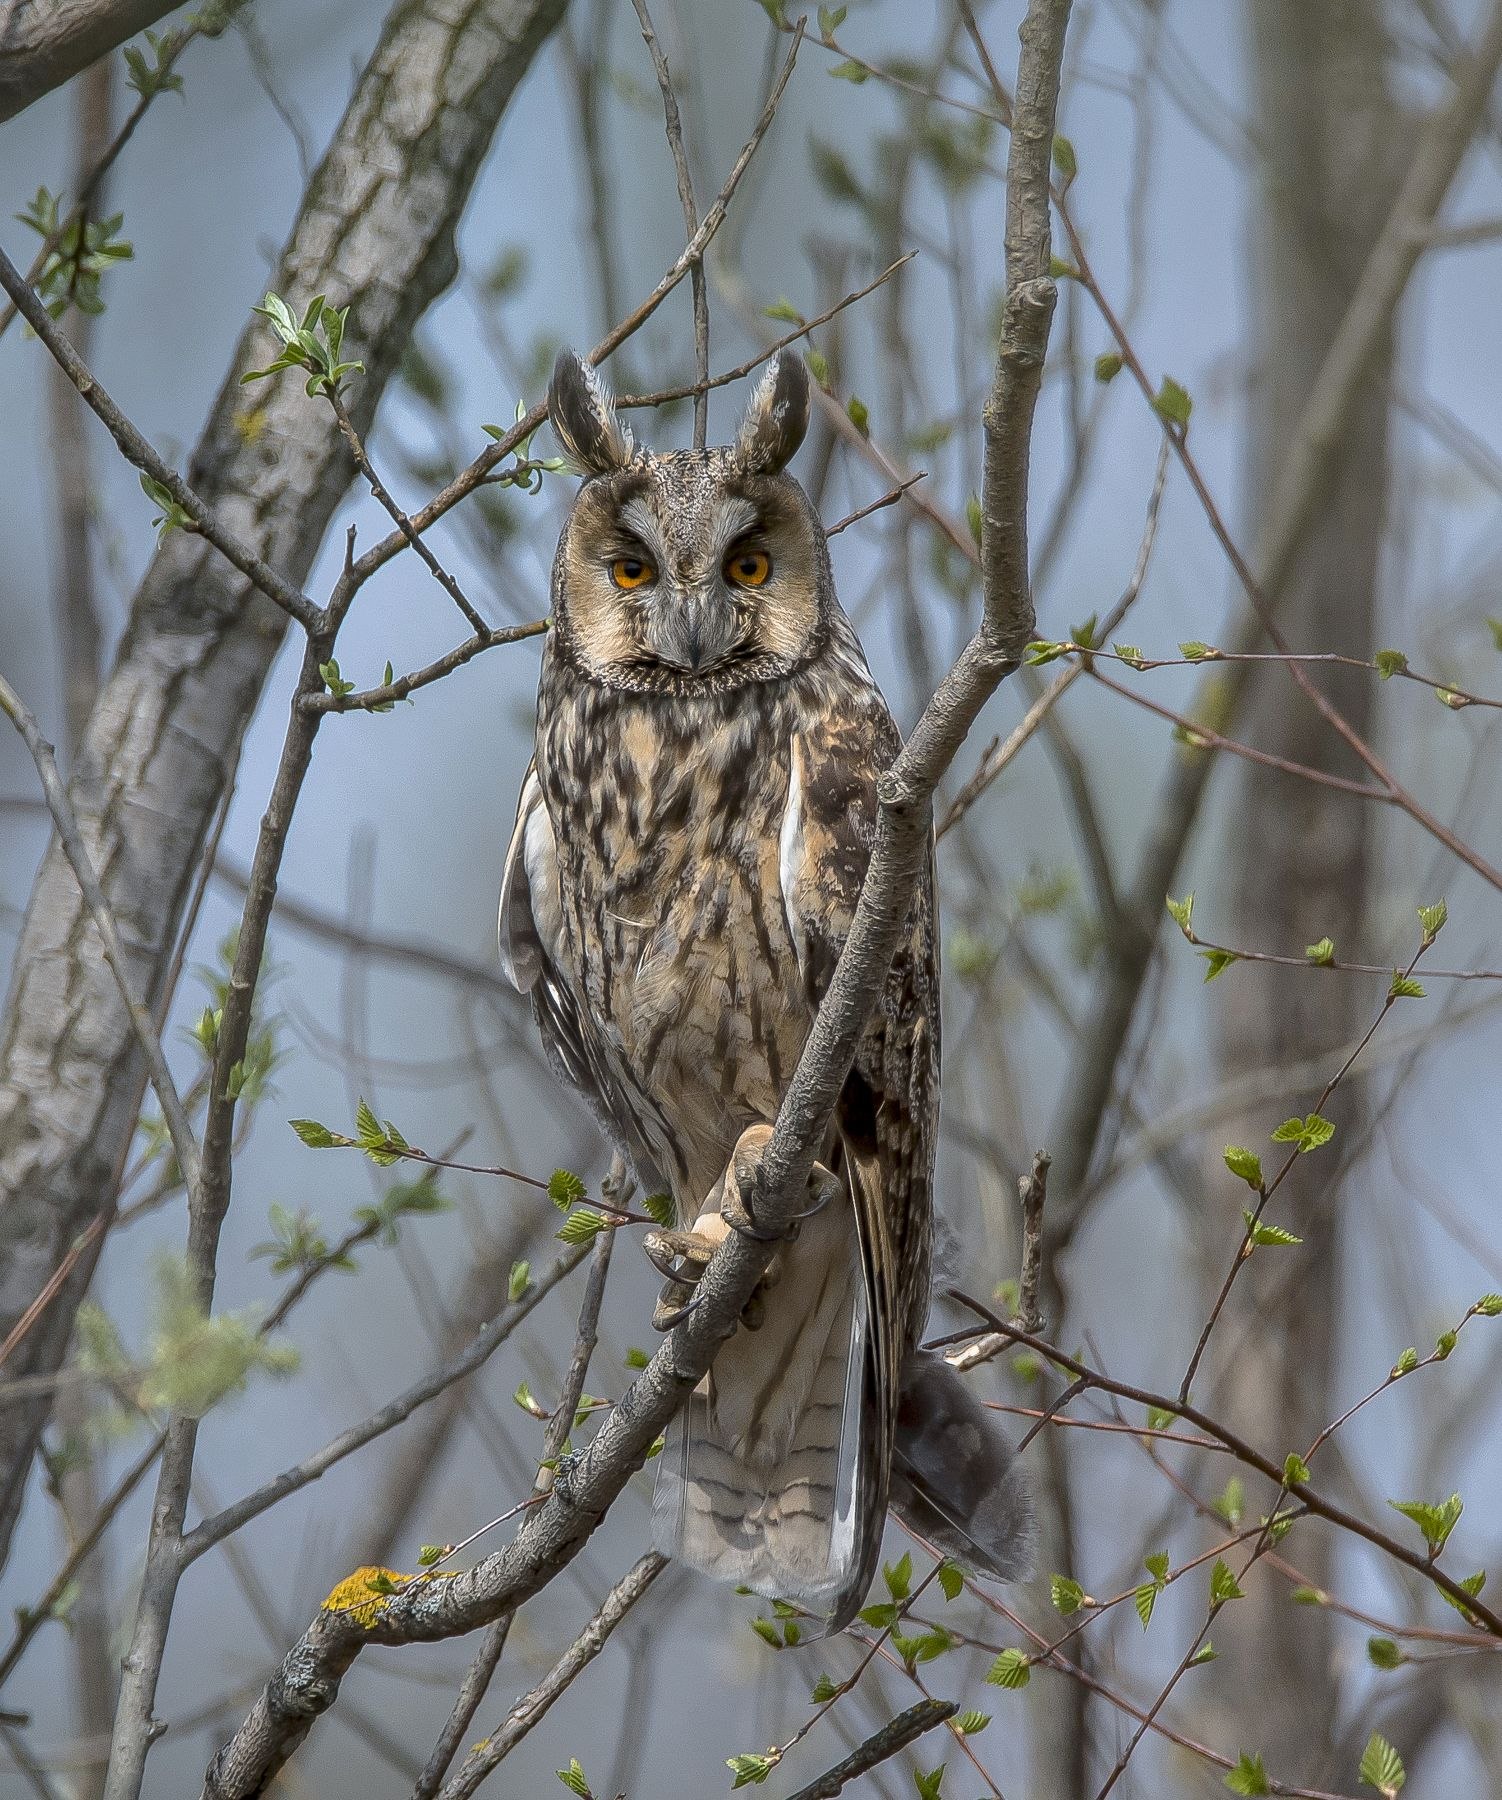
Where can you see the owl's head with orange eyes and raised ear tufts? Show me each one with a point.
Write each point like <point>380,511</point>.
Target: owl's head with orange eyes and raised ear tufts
<point>694,568</point>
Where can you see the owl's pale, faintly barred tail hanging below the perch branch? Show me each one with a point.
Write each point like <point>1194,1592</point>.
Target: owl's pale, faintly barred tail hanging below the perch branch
<point>761,1480</point>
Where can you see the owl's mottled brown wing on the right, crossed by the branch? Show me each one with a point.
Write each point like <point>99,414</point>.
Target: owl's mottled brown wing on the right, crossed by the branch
<point>887,1111</point>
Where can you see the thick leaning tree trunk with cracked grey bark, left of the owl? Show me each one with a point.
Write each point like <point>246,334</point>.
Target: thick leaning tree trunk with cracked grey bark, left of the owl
<point>375,231</point>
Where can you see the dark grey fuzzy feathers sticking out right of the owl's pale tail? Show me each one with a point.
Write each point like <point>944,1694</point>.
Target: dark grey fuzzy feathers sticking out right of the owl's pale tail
<point>955,1479</point>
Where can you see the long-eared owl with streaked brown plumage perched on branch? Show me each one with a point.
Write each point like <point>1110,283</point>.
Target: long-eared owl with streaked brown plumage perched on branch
<point>687,858</point>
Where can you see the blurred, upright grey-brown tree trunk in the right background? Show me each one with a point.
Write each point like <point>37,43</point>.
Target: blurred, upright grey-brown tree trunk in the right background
<point>1326,183</point>
